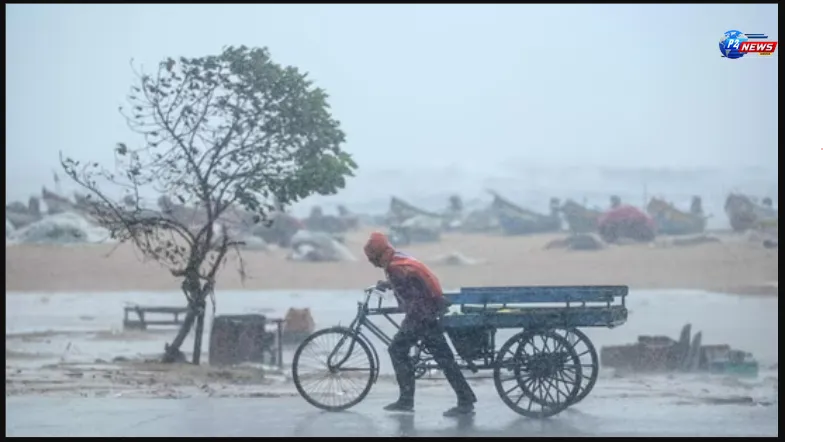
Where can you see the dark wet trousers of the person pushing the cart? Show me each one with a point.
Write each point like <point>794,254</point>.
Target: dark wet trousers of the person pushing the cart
<point>431,336</point>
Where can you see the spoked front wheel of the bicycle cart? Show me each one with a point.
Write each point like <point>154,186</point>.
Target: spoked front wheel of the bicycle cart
<point>334,369</point>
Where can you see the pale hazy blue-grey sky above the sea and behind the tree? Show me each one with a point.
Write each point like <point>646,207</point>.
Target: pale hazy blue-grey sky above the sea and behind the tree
<point>478,85</point>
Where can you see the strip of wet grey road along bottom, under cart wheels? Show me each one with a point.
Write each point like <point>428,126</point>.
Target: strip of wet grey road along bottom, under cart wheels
<point>291,416</point>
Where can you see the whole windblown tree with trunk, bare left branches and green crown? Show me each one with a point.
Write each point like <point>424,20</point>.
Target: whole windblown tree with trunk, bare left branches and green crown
<point>233,130</point>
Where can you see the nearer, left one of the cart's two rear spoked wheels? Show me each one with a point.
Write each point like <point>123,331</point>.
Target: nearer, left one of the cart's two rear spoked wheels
<point>532,373</point>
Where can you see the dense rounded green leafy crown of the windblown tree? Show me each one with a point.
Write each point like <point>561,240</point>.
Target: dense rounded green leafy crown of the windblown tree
<point>241,129</point>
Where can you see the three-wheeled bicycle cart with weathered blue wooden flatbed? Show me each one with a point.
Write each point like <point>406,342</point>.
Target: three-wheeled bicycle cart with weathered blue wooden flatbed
<point>546,367</point>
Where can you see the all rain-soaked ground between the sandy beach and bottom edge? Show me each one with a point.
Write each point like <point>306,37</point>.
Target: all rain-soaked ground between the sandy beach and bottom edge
<point>660,408</point>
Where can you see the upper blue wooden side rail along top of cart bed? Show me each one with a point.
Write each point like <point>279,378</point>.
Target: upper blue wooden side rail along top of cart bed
<point>538,294</point>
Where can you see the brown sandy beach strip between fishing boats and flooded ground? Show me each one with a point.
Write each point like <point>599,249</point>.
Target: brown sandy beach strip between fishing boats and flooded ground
<point>733,265</point>
